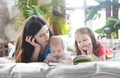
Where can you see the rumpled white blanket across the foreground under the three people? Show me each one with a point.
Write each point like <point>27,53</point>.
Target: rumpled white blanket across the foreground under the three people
<point>107,69</point>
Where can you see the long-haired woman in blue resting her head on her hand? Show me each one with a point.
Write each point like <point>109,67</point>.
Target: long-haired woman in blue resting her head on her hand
<point>32,44</point>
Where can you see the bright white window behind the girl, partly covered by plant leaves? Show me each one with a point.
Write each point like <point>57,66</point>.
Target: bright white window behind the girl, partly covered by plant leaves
<point>75,14</point>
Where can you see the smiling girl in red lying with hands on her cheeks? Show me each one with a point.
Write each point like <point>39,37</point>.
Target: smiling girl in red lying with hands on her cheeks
<point>86,44</point>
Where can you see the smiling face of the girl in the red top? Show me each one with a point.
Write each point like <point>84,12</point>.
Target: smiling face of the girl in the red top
<point>83,41</point>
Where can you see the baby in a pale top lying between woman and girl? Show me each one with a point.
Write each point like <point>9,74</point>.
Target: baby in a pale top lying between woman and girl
<point>57,54</point>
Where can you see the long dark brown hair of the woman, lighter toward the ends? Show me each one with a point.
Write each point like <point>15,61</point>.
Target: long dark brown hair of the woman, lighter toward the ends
<point>24,50</point>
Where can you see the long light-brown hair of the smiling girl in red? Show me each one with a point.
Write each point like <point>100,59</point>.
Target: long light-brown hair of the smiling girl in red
<point>95,43</point>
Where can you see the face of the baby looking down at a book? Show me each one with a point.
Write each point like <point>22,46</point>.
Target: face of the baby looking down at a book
<point>57,51</point>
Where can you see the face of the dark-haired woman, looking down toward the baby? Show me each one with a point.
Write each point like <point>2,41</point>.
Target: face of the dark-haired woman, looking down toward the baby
<point>42,37</point>
